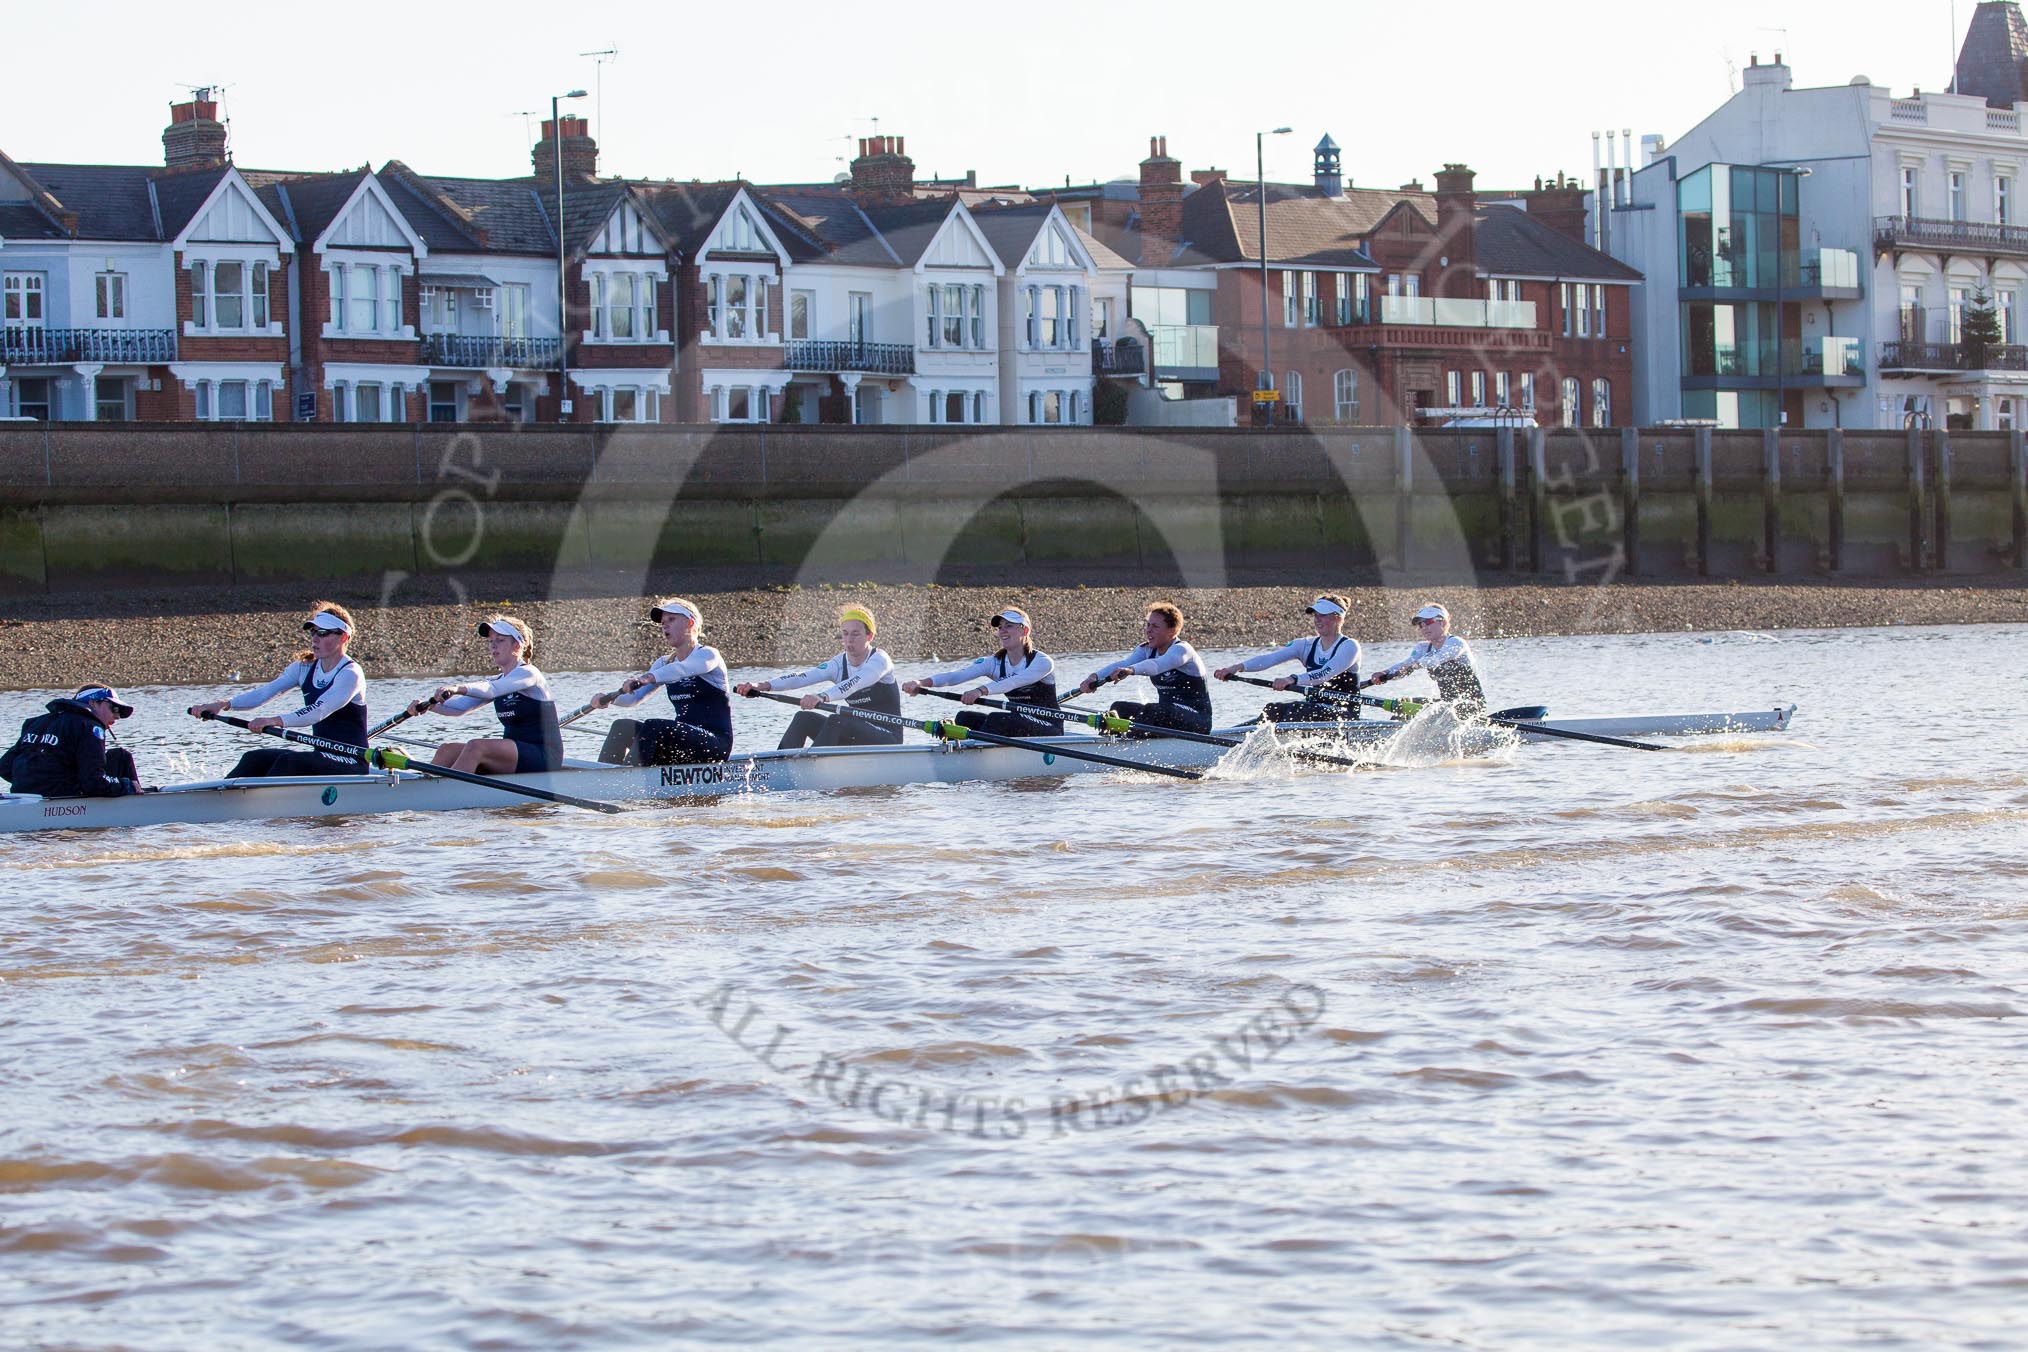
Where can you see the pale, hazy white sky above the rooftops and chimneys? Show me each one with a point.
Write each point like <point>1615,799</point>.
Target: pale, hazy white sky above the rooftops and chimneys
<point>1027,96</point>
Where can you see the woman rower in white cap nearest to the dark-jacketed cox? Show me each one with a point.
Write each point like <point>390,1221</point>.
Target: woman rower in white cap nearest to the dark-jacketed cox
<point>334,702</point>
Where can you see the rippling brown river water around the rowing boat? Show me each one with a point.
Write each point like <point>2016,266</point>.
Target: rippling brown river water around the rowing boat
<point>1565,1047</point>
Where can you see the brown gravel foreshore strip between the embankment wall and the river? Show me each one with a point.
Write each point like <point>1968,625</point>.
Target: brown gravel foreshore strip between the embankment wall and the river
<point>222,635</point>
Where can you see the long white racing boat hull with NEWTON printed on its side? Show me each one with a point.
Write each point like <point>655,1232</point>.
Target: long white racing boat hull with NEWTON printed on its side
<point>780,771</point>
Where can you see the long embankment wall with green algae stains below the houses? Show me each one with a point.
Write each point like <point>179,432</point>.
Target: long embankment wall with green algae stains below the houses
<point>108,506</point>
